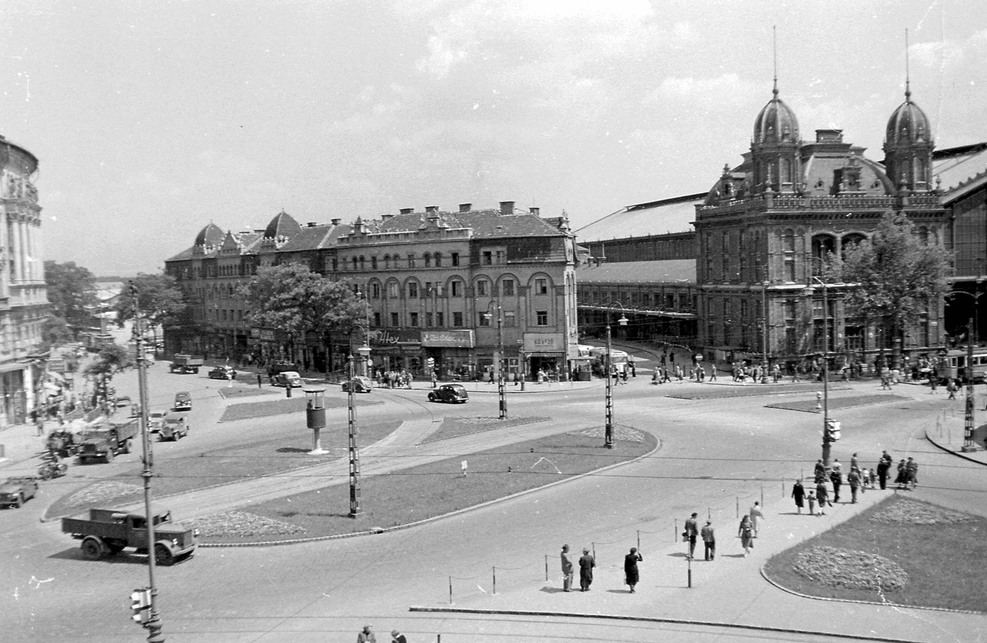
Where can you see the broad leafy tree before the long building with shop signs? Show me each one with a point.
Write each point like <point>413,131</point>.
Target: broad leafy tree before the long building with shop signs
<point>296,301</point>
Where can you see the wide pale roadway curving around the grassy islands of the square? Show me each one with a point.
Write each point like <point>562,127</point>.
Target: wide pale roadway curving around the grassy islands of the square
<point>716,454</point>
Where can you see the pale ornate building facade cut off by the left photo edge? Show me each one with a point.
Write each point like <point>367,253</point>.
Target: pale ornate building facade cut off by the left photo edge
<point>23,299</point>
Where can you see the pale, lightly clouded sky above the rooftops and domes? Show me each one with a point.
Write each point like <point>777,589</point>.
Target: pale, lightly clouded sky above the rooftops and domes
<point>152,119</point>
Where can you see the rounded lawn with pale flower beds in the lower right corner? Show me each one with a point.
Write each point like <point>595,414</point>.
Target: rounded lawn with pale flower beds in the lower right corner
<point>901,551</point>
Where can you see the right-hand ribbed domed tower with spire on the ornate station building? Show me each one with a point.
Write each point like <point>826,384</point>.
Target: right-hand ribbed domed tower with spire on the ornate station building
<point>908,146</point>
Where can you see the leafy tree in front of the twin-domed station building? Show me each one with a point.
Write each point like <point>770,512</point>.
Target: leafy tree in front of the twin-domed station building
<point>896,278</point>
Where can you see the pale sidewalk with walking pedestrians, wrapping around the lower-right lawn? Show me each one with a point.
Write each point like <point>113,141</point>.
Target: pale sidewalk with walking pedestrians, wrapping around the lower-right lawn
<point>728,590</point>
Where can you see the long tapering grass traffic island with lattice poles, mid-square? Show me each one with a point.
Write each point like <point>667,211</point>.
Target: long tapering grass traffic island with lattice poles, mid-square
<point>418,493</point>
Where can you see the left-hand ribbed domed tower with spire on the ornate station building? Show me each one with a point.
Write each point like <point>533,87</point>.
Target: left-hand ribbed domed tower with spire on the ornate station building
<point>775,148</point>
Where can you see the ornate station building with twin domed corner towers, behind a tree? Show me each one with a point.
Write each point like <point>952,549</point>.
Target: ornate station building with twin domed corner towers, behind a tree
<point>765,226</point>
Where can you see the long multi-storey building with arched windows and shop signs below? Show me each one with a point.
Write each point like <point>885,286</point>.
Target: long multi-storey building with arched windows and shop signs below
<point>450,289</point>
